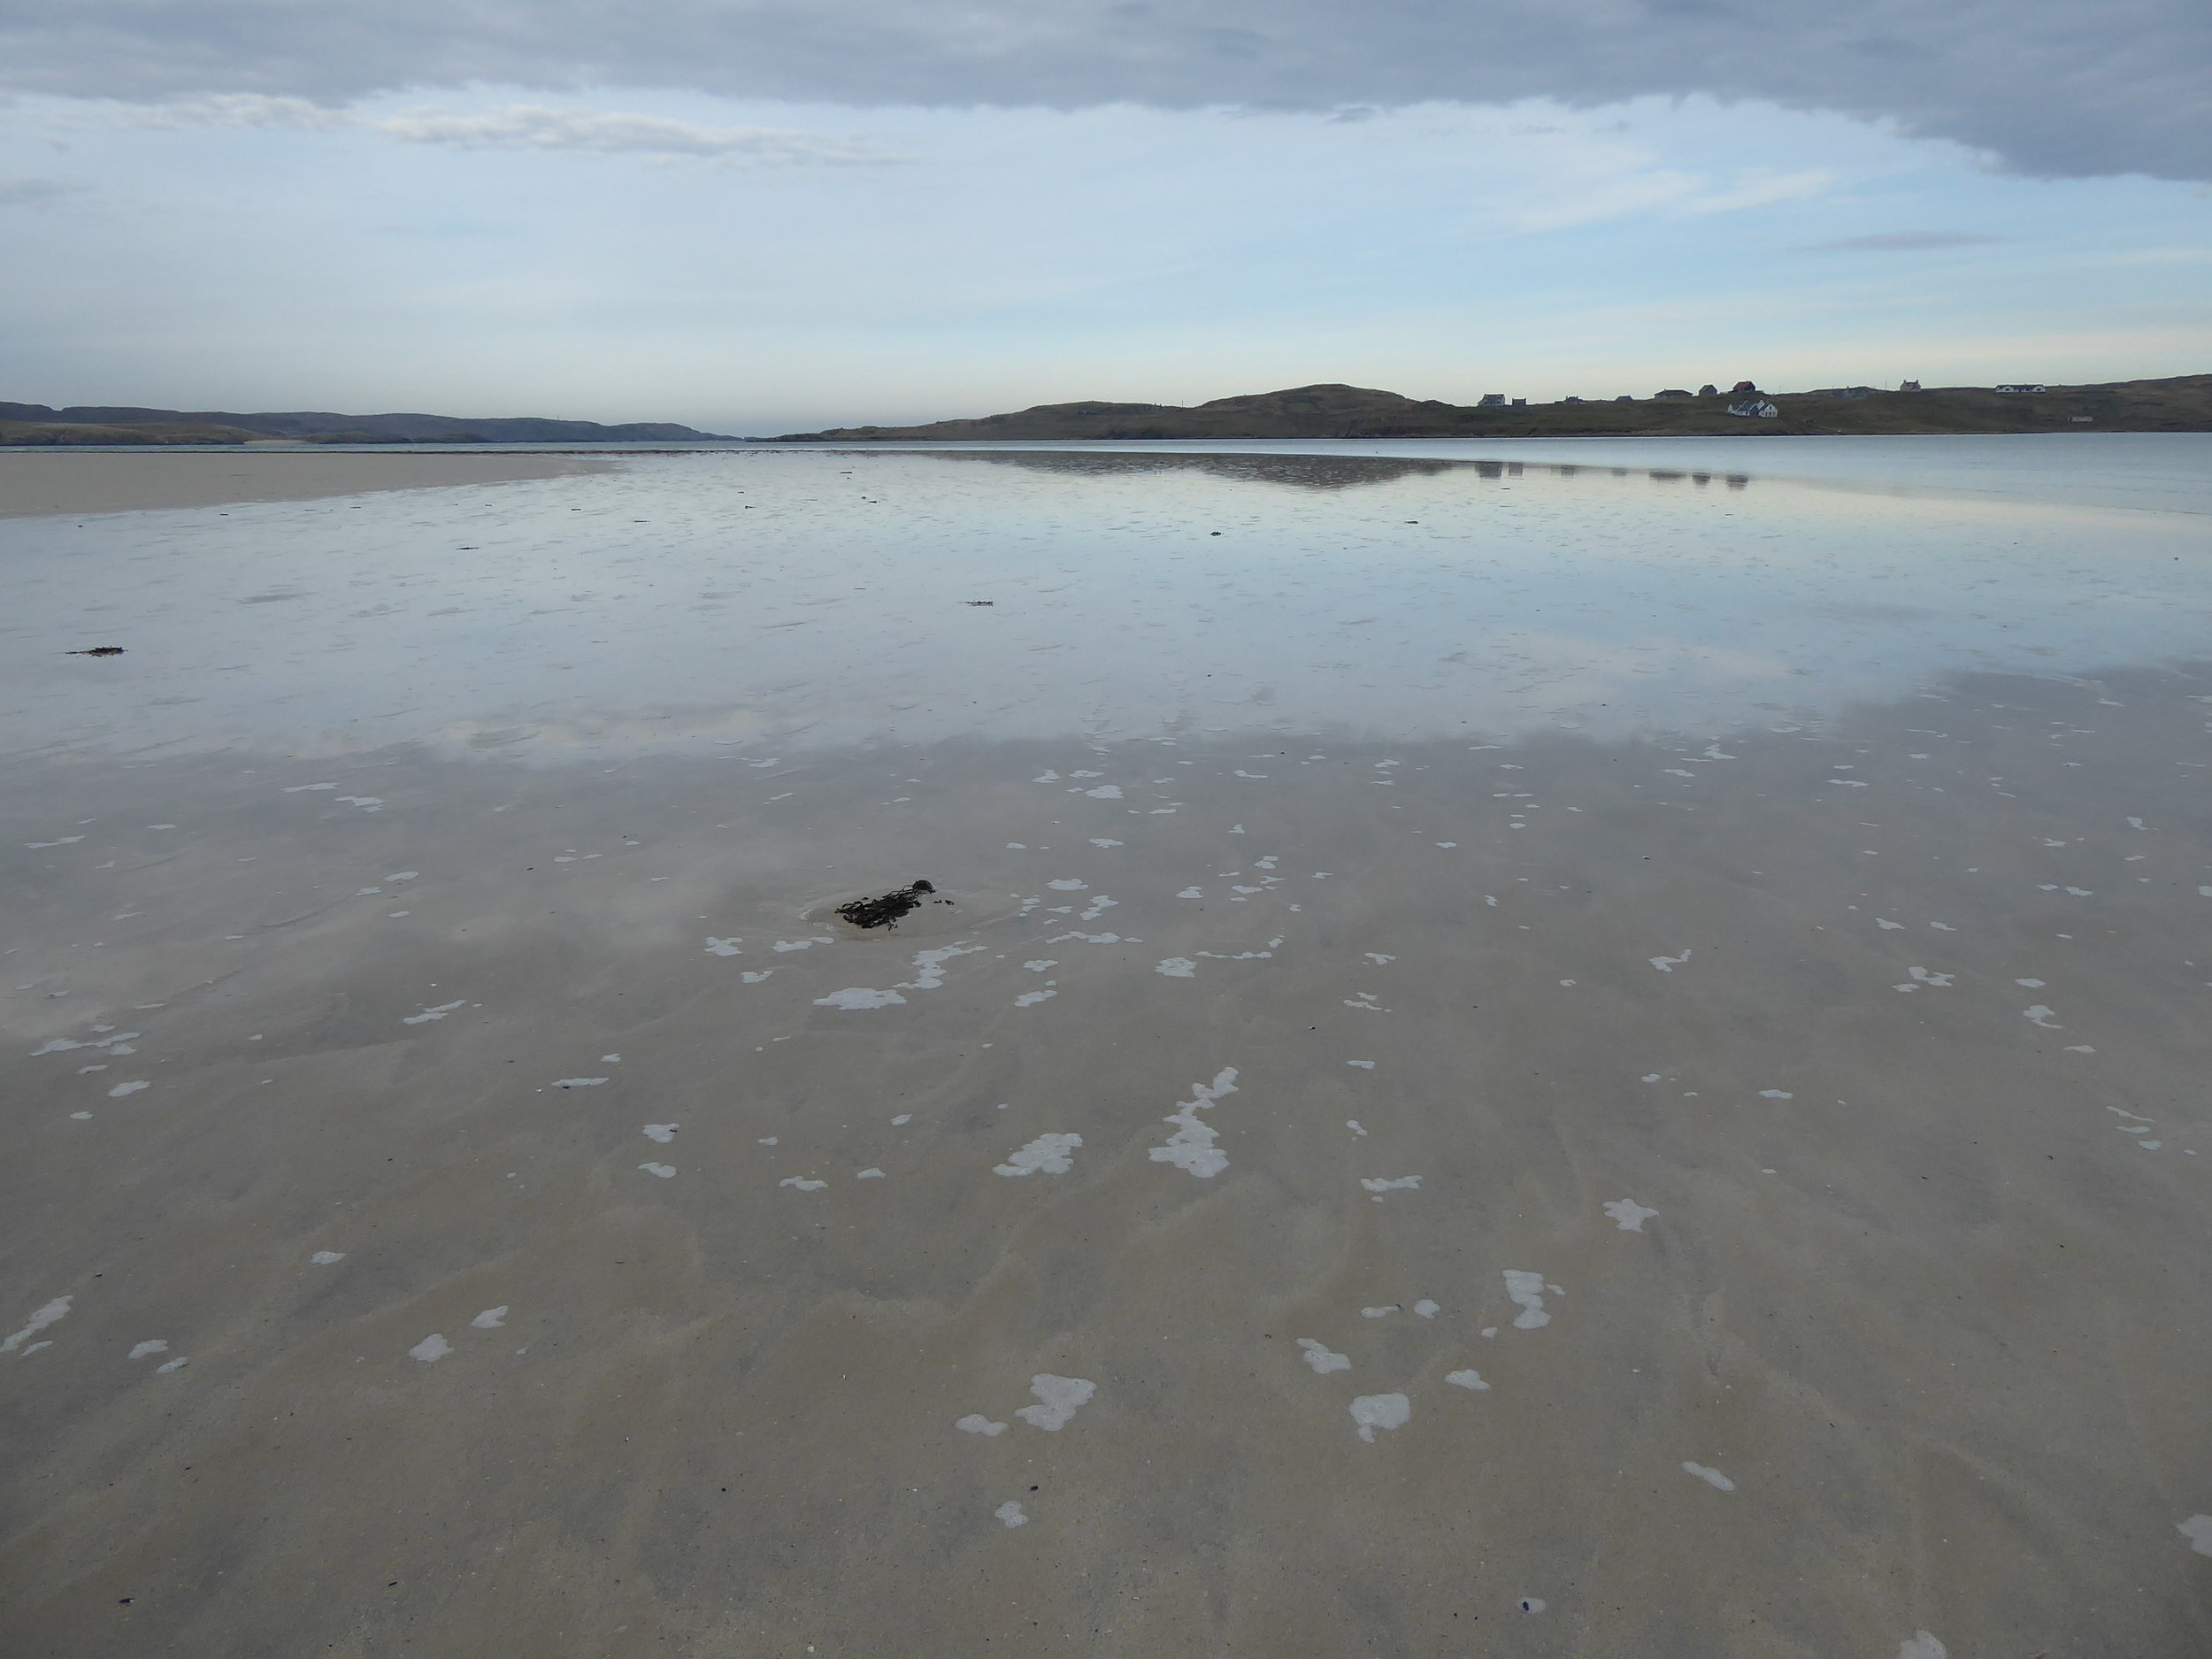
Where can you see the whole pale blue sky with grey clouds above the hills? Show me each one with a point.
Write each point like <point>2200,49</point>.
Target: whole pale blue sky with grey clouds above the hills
<point>773,218</point>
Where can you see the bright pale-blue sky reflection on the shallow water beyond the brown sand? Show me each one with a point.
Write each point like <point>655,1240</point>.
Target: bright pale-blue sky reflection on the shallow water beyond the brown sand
<point>815,596</point>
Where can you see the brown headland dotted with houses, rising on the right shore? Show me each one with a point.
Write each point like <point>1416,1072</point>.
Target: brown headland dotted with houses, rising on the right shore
<point>2180,404</point>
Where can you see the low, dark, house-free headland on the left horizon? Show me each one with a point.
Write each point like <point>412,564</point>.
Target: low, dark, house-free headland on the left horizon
<point>36,424</point>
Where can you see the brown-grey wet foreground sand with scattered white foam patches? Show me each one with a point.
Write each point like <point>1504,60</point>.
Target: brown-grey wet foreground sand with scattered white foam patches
<point>1711,1191</point>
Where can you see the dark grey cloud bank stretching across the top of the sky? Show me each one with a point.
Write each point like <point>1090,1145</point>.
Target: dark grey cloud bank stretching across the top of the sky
<point>2056,87</point>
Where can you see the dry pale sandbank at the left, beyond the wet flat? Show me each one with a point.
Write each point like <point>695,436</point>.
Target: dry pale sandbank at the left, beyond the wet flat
<point>129,481</point>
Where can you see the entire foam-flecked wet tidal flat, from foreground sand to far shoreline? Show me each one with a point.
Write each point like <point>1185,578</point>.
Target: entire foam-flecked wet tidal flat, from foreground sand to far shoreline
<point>1525,1056</point>
